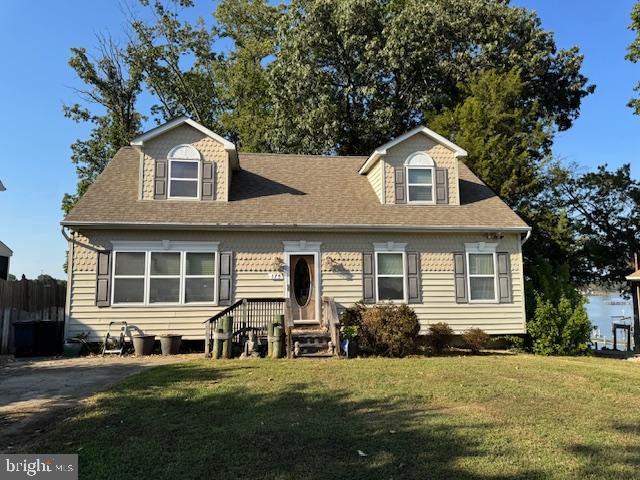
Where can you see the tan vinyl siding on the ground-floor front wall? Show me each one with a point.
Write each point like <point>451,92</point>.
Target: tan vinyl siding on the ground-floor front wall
<point>256,256</point>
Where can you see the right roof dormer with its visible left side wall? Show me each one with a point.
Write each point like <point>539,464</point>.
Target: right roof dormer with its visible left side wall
<point>417,168</point>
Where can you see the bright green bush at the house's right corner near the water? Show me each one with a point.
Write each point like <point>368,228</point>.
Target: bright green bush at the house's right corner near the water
<point>560,328</point>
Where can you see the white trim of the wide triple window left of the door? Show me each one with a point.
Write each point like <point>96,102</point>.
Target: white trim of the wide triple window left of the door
<point>164,246</point>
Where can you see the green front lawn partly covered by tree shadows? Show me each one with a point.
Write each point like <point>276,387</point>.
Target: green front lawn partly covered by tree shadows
<point>487,417</point>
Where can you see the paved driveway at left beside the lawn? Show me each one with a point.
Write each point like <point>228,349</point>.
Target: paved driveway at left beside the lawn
<point>34,392</point>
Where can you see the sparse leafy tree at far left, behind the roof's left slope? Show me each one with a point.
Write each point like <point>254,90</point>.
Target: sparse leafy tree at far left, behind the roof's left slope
<point>112,84</point>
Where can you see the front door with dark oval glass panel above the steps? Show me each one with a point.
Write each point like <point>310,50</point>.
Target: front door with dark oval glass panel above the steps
<point>302,288</point>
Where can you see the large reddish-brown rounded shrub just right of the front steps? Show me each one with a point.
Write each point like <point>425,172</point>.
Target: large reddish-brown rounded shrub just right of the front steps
<point>388,330</point>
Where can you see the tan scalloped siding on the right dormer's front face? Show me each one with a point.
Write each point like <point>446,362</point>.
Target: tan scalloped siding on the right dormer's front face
<point>442,156</point>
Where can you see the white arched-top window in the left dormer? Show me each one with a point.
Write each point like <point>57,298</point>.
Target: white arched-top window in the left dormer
<point>184,172</point>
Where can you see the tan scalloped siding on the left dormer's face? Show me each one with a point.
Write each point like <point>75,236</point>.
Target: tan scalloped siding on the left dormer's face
<point>210,150</point>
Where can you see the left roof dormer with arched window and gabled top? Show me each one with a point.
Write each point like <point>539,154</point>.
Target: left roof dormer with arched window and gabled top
<point>183,161</point>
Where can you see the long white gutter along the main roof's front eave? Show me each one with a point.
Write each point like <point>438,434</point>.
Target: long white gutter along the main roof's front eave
<point>296,227</point>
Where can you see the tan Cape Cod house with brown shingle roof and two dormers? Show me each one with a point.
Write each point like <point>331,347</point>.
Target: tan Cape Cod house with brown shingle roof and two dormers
<point>185,225</point>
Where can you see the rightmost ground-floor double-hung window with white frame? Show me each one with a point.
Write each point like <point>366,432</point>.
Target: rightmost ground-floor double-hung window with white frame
<point>481,264</point>
